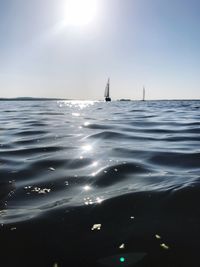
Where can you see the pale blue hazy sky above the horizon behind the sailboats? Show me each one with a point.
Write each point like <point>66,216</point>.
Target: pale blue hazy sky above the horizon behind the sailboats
<point>151,43</point>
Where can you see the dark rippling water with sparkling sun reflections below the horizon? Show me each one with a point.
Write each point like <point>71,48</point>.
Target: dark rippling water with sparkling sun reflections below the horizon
<point>99,184</point>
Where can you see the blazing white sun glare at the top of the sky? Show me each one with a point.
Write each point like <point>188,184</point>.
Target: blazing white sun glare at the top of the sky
<point>80,12</point>
